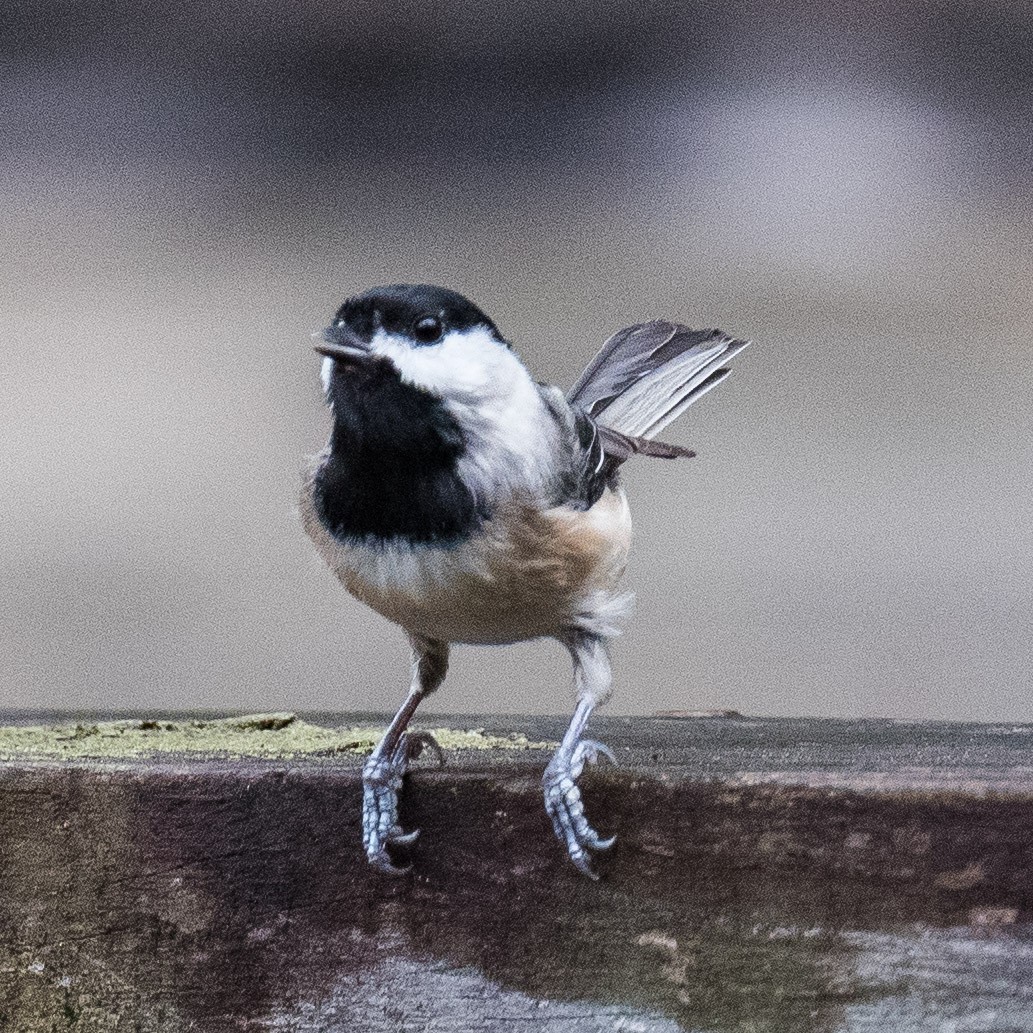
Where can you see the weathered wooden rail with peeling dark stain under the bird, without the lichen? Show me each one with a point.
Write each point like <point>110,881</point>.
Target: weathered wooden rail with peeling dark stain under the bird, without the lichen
<point>196,895</point>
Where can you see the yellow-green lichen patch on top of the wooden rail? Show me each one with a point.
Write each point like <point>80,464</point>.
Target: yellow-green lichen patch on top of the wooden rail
<point>269,736</point>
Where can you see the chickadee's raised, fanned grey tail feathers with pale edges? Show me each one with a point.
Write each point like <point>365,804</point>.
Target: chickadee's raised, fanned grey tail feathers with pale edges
<point>647,375</point>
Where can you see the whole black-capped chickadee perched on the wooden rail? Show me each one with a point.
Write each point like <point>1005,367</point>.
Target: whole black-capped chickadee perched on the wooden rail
<point>468,504</point>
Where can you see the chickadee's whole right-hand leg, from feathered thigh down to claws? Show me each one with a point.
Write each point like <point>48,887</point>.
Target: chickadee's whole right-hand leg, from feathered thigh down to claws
<point>564,801</point>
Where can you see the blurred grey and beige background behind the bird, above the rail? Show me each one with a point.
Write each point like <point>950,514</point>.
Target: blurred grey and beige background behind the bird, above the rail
<point>187,195</point>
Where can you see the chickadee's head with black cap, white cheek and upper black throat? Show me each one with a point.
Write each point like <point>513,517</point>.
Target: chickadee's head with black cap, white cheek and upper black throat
<point>415,369</point>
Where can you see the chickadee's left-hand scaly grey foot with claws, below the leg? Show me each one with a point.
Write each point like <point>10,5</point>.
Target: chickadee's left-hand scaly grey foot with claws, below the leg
<point>383,776</point>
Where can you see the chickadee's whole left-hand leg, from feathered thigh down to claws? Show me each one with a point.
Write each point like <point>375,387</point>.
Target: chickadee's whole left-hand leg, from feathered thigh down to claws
<point>387,766</point>
